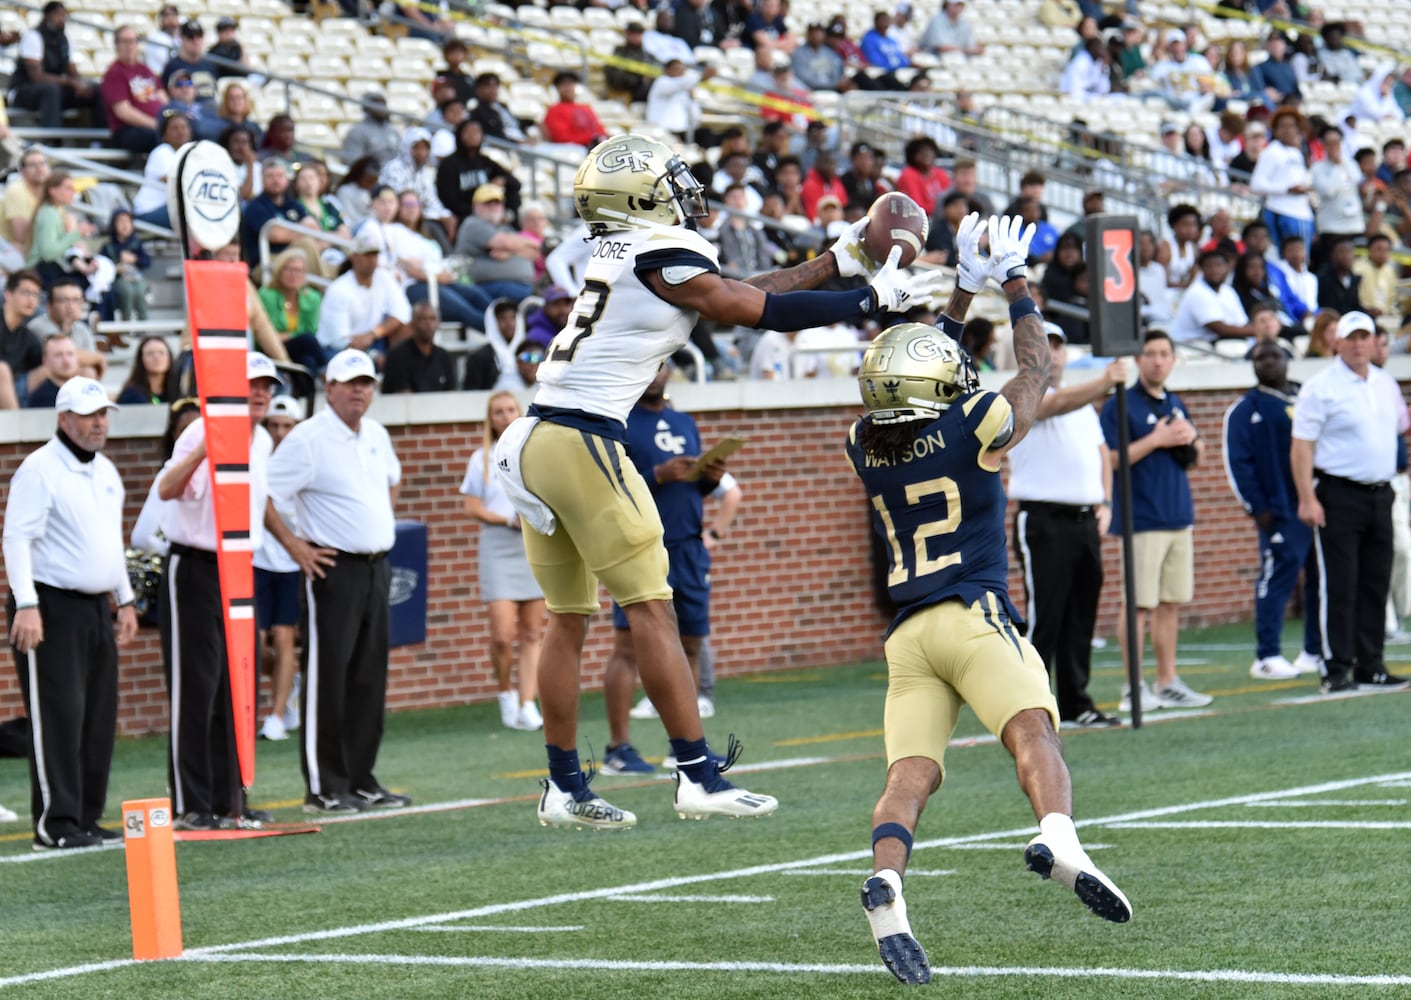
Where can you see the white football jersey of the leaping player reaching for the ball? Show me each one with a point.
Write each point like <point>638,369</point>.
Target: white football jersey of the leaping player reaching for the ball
<point>620,331</point>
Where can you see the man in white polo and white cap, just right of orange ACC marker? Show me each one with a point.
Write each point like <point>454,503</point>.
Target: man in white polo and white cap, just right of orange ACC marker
<point>339,473</point>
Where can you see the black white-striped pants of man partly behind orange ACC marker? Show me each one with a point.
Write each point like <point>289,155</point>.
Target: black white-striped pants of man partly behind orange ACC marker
<point>201,764</point>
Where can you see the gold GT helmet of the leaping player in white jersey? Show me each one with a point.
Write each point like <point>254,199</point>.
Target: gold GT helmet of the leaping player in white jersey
<point>634,183</point>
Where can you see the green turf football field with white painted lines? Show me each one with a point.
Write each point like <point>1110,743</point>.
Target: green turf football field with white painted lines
<point>1262,844</point>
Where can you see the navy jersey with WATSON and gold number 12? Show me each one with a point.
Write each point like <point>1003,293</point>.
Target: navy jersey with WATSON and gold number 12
<point>940,511</point>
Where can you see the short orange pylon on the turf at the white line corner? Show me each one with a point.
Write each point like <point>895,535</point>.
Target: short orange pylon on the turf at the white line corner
<point>152,879</point>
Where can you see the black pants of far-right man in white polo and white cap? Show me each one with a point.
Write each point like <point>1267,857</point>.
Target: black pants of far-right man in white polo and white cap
<point>1354,549</point>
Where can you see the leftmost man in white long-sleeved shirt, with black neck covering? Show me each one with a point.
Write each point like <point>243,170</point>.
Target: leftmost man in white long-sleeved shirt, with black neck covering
<point>64,559</point>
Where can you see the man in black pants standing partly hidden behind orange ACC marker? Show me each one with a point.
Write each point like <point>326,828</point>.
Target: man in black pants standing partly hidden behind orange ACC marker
<point>202,765</point>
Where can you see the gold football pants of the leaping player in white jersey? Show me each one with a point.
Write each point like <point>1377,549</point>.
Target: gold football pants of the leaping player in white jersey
<point>609,527</point>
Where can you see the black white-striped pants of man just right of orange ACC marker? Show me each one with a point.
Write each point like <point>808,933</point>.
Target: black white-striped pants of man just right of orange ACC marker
<point>345,675</point>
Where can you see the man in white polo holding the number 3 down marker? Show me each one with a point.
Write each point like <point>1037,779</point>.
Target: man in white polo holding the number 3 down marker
<point>1060,477</point>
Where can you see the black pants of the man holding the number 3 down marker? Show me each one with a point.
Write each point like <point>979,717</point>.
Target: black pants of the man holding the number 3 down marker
<point>1062,559</point>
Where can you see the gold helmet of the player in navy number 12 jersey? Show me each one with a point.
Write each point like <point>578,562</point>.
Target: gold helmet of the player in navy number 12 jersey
<point>914,372</point>
